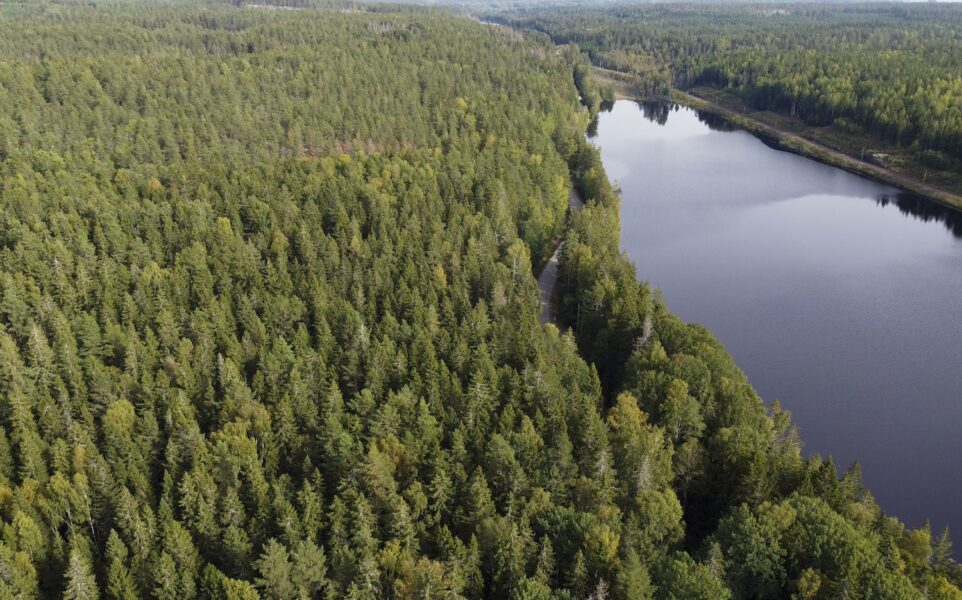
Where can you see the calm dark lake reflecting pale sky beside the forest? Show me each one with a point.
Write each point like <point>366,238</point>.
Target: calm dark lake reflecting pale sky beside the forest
<point>838,296</point>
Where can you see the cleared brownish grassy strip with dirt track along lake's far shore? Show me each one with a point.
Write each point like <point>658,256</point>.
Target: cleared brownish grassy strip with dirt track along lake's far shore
<point>823,144</point>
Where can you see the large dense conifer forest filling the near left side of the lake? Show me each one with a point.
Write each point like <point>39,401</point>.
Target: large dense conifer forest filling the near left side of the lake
<point>269,328</point>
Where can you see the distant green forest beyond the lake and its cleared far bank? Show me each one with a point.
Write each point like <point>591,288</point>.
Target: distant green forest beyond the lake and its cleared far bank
<point>893,71</point>
